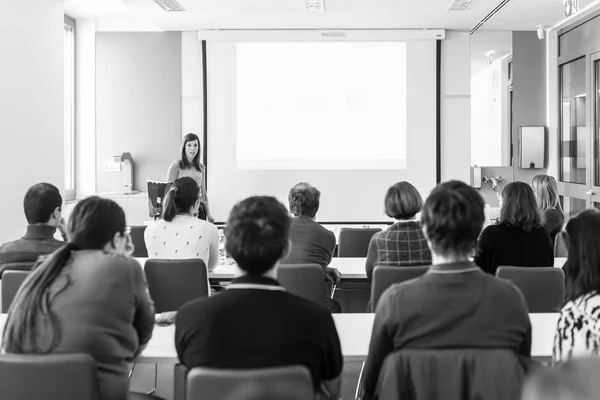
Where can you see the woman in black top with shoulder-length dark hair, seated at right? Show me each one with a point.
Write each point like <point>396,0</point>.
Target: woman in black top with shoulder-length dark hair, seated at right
<point>519,239</point>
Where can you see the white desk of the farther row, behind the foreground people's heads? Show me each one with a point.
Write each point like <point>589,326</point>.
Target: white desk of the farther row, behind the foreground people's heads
<point>350,268</point>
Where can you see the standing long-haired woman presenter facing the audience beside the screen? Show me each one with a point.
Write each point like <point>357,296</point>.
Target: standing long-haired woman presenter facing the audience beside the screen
<point>189,165</point>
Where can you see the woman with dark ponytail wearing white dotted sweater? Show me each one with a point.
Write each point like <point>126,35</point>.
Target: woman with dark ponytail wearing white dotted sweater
<point>180,234</point>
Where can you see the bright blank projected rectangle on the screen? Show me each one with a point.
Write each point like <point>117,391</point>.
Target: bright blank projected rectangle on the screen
<point>293,95</point>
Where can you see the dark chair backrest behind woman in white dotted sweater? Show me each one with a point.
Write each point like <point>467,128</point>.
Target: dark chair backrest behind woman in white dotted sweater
<point>175,282</point>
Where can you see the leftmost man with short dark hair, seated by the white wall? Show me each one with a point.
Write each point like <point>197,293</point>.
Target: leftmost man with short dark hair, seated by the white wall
<point>42,205</point>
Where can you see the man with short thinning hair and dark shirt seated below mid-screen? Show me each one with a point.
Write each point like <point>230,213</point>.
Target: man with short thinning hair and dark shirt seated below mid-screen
<point>311,243</point>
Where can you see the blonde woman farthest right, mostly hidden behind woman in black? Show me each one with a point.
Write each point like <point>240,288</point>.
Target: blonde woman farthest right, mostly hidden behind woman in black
<point>546,193</point>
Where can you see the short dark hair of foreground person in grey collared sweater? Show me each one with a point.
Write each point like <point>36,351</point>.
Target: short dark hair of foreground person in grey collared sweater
<point>452,218</point>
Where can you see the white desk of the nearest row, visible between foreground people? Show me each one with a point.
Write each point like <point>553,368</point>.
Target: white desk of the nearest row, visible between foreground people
<point>354,331</point>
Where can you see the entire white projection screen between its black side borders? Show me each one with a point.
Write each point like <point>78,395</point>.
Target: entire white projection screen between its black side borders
<point>351,118</point>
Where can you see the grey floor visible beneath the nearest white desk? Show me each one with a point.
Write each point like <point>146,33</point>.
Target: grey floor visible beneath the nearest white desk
<point>143,380</point>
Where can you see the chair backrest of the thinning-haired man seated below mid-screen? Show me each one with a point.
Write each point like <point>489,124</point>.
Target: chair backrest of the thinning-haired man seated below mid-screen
<point>304,280</point>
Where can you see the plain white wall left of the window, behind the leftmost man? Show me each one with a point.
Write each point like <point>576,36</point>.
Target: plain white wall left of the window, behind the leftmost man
<point>31,104</point>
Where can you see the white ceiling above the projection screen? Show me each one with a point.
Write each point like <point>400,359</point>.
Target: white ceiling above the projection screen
<point>338,14</point>
